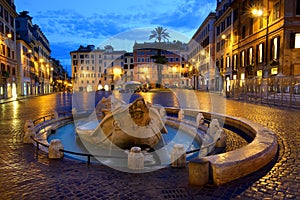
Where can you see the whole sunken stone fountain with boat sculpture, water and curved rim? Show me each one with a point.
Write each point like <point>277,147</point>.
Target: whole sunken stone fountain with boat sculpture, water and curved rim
<point>156,150</point>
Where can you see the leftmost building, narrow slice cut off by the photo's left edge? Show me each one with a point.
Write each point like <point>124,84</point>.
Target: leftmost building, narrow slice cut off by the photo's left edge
<point>8,60</point>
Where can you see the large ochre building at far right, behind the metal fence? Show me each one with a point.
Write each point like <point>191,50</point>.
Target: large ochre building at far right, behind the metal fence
<point>265,45</point>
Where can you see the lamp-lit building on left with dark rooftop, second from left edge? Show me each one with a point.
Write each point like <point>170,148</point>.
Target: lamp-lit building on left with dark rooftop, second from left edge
<point>33,57</point>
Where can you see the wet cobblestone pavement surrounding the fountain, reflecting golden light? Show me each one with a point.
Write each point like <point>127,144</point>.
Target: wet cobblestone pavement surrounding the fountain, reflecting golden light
<point>26,174</point>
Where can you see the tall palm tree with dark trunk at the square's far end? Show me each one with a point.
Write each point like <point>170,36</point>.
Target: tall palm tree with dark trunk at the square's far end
<point>159,34</point>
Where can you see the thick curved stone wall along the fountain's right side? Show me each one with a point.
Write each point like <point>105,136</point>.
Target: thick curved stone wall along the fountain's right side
<point>226,167</point>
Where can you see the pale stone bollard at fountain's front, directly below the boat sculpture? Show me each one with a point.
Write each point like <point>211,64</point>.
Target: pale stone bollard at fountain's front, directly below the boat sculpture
<point>135,158</point>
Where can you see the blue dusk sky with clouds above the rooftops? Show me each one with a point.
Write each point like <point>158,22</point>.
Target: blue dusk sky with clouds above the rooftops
<point>68,24</point>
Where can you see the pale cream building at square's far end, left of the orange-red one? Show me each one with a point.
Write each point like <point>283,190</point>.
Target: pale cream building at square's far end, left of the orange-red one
<point>96,69</point>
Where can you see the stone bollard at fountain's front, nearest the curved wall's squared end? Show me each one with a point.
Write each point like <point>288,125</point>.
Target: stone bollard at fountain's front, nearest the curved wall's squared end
<point>178,156</point>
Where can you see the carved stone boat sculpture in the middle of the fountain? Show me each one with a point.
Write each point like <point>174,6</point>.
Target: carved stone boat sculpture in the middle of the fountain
<point>135,124</point>
